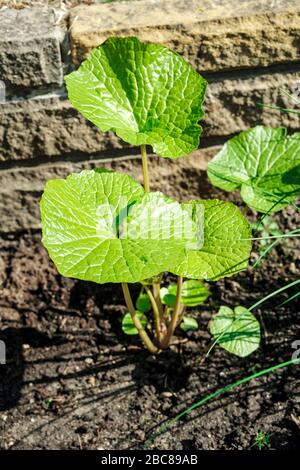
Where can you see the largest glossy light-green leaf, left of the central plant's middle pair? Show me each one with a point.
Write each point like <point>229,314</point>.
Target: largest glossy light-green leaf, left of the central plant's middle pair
<point>103,227</point>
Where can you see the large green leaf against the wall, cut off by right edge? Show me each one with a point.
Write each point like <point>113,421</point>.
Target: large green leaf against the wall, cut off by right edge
<point>264,164</point>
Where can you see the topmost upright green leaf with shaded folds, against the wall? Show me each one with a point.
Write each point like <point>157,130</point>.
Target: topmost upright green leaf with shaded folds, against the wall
<point>145,93</point>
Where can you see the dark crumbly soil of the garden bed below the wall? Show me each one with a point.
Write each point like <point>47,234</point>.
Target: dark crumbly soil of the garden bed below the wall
<point>73,380</point>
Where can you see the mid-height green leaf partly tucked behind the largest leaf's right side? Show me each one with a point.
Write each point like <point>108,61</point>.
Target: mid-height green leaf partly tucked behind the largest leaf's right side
<point>226,242</point>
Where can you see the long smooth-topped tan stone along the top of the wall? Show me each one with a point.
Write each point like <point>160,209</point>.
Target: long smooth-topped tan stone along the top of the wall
<point>212,35</point>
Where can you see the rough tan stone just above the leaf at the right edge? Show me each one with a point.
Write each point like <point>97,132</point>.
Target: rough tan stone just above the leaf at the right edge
<point>234,105</point>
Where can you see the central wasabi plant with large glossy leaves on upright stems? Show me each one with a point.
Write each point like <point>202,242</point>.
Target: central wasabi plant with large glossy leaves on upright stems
<point>103,226</point>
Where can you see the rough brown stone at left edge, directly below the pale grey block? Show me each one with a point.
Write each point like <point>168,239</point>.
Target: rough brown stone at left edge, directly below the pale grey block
<point>48,126</point>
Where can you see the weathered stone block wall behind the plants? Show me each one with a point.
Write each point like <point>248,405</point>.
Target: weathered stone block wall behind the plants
<point>249,51</point>
